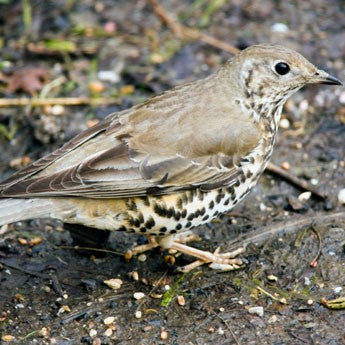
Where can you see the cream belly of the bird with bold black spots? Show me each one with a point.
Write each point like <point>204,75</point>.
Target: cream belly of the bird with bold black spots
<point>161,215</point>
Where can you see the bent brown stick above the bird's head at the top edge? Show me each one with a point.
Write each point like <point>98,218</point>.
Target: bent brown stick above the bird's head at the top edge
<point>184,32</point>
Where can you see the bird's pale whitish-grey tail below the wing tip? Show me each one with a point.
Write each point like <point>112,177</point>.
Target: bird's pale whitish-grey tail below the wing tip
<point>14,210</point>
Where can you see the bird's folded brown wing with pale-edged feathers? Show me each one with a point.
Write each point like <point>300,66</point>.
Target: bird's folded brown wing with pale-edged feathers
<point>165,145</point>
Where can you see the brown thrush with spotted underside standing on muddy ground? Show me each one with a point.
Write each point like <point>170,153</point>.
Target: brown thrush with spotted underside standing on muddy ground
<point>173,162</point>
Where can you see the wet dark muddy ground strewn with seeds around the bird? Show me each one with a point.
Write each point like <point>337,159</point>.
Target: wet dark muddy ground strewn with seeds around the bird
<point>53,293</point>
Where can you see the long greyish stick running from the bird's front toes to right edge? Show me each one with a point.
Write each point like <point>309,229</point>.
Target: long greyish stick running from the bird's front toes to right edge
<point>287,227</point>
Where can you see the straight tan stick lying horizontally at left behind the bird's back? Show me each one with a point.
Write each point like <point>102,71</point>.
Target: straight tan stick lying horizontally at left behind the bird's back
<point>38,102</point>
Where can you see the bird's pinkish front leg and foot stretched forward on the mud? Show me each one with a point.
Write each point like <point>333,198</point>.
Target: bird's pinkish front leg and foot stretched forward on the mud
<point>218,261</point>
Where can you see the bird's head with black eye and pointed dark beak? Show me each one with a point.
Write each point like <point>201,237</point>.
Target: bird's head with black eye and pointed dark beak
<point>272,73</point>
